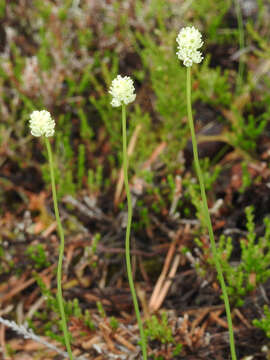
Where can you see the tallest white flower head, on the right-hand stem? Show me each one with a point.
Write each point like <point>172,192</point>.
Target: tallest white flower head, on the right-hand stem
<point>189,41</point>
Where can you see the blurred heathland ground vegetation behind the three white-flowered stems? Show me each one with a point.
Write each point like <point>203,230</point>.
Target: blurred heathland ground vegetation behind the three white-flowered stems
<point>62,56</point>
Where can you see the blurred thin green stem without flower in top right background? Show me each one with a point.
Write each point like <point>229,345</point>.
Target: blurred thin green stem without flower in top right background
<point>241,45</point>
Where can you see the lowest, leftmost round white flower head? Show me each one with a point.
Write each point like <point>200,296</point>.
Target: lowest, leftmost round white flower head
<point>41,123</point>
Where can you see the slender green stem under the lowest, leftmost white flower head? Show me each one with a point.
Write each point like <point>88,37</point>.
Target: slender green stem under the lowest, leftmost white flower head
<point>61,253</point>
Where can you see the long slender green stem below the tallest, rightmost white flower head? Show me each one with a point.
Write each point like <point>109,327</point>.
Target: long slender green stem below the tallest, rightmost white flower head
<point>207,216</point>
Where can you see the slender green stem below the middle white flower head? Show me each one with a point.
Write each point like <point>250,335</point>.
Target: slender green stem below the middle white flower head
<point>129,272</point>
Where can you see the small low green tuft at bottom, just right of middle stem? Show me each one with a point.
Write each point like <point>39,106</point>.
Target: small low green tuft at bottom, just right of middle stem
<point>159,329</point>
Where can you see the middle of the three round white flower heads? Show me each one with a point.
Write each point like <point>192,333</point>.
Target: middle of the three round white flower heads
<point>122,91</point>
